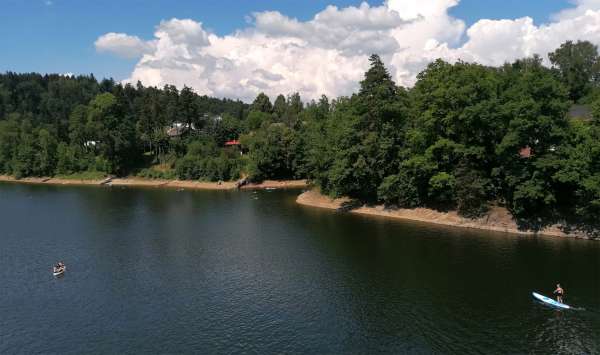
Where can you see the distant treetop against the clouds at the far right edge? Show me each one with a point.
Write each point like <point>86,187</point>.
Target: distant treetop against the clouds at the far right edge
<point>578,65</point>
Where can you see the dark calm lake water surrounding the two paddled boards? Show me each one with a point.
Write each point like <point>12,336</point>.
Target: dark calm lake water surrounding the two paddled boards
<point>165,271</point>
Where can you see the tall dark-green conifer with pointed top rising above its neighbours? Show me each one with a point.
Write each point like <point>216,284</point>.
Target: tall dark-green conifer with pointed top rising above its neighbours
<point>366,133</point>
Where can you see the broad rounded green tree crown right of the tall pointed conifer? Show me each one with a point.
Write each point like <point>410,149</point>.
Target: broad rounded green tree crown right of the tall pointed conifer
<point>458,102</point>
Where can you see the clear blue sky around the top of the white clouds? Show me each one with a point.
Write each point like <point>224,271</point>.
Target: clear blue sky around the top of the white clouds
<point>58,35</point>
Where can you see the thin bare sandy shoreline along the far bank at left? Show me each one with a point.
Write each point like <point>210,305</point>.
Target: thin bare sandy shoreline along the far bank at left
<point>177,184</point>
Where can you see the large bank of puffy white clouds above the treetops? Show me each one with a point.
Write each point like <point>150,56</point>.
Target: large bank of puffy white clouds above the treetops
<point>328,54</point>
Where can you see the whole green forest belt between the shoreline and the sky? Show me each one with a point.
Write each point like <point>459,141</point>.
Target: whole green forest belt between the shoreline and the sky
<point>465,136</point>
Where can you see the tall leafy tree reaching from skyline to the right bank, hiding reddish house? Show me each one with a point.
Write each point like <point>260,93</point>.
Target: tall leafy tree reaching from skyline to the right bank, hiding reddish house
<point>534,103</point>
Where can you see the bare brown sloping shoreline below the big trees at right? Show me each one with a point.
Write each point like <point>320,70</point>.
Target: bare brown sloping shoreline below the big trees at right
<point>498,219</point>
